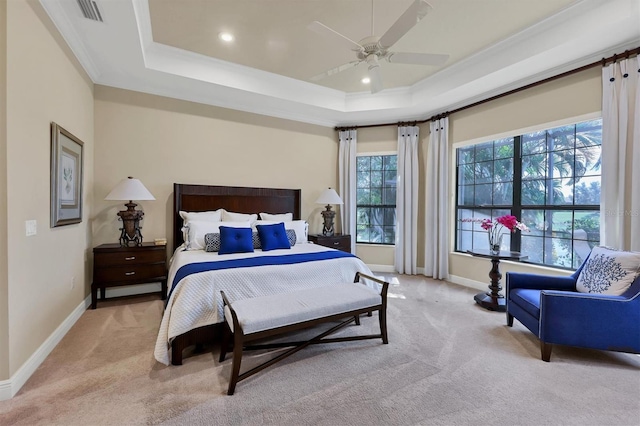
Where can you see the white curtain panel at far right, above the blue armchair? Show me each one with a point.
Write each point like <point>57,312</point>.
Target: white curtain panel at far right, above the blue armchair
<point>620,199</point>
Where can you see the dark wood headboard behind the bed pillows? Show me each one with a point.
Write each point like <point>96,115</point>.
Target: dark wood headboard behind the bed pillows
<point>199,198</point>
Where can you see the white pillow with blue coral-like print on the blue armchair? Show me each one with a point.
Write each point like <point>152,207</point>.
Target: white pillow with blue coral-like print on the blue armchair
<point>608,271</point>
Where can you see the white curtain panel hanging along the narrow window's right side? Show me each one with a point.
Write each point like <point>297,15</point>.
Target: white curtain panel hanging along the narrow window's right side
<point>407,201</point>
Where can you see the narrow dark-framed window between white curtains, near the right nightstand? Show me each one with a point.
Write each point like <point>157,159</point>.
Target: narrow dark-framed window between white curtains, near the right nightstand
<point>376,199</point>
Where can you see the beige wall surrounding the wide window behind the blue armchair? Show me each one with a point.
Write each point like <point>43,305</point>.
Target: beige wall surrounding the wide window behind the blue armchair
<point>572,96</point>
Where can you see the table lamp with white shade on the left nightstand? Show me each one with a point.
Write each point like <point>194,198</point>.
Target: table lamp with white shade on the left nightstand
<point>130,189</point>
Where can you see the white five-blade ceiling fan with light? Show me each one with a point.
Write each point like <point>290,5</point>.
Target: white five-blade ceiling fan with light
<point>373,48</point>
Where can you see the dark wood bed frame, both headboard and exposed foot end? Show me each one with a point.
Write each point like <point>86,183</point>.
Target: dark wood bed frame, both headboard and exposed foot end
<point>198,198</point>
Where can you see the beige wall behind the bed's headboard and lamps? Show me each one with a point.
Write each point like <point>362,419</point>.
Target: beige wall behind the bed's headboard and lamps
<point>162,141</point>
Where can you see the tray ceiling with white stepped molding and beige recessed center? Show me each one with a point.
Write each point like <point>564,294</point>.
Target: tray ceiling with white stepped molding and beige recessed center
<point>171,48</point>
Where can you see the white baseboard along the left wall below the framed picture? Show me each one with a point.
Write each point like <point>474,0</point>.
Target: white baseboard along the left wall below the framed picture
<point>8,388</point>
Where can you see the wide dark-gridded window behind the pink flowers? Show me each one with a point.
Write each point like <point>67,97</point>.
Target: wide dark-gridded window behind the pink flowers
<point>549,180</point>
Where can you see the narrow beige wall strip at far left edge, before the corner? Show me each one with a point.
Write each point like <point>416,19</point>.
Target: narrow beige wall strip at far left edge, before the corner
<point>4,302</point>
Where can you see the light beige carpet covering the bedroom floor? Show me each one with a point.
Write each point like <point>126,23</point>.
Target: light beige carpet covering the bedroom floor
<point>448,362</point>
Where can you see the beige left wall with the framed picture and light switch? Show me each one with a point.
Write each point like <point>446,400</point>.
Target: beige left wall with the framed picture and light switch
<point>44,84</point>
